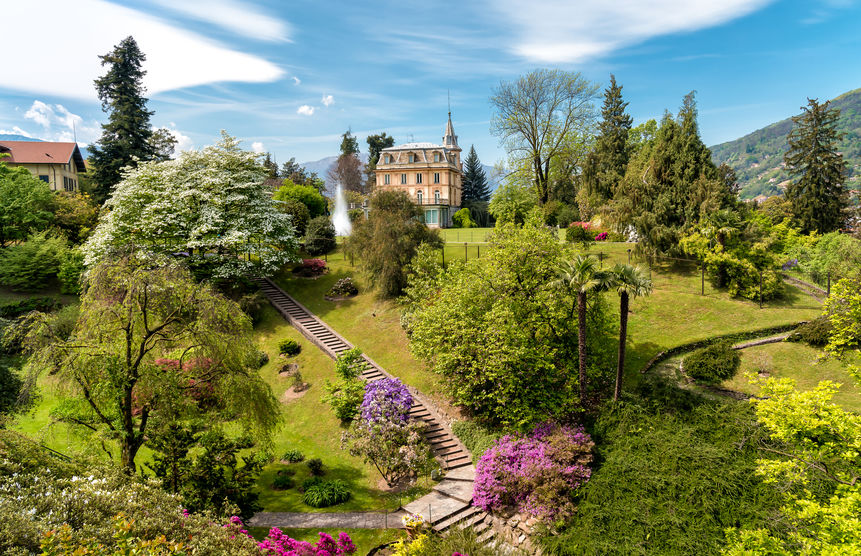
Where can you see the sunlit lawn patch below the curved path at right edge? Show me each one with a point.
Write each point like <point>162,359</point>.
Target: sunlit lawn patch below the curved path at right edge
<point>799,362</point>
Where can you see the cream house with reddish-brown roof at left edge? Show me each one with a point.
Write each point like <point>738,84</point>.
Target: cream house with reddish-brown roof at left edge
<point>57,164</point>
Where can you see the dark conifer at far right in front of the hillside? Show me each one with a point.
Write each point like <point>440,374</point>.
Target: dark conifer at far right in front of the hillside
<point>817,197</point>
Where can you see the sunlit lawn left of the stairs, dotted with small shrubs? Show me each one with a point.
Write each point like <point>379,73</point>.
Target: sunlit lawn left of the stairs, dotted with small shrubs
<point>310,427</point>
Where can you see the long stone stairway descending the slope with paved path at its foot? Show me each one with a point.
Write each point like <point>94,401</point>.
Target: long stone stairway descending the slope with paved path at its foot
<point>450,502</point>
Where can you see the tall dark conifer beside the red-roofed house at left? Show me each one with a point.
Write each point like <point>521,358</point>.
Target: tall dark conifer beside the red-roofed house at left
<point>127,135</point>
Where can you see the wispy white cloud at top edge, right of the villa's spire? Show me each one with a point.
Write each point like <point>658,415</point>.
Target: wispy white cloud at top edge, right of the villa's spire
<point>558,31</point>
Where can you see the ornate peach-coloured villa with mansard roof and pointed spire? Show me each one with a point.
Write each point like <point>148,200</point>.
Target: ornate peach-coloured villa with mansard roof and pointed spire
<point>430,174</point>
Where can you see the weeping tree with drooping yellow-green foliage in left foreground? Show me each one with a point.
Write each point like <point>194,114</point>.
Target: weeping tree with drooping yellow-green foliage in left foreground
<point>152,346</point>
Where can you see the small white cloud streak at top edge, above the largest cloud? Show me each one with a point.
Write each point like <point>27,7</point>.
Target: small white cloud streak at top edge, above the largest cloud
<point>238,17</point>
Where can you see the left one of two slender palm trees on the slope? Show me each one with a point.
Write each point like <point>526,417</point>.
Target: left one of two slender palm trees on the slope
<point>581,276</point>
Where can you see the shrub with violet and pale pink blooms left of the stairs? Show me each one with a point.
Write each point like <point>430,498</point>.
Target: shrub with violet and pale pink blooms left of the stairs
<point>385,436</point>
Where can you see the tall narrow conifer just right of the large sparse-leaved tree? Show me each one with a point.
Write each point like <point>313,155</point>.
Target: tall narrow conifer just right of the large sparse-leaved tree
<point>605,166</point>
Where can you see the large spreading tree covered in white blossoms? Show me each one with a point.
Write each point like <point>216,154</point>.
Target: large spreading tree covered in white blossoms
<point>209,204</point>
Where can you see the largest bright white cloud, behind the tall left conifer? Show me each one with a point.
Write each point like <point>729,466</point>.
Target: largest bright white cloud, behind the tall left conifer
<point>176,58</point>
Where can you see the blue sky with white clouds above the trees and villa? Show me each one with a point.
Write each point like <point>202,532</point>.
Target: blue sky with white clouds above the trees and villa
<point>290,77</point>
